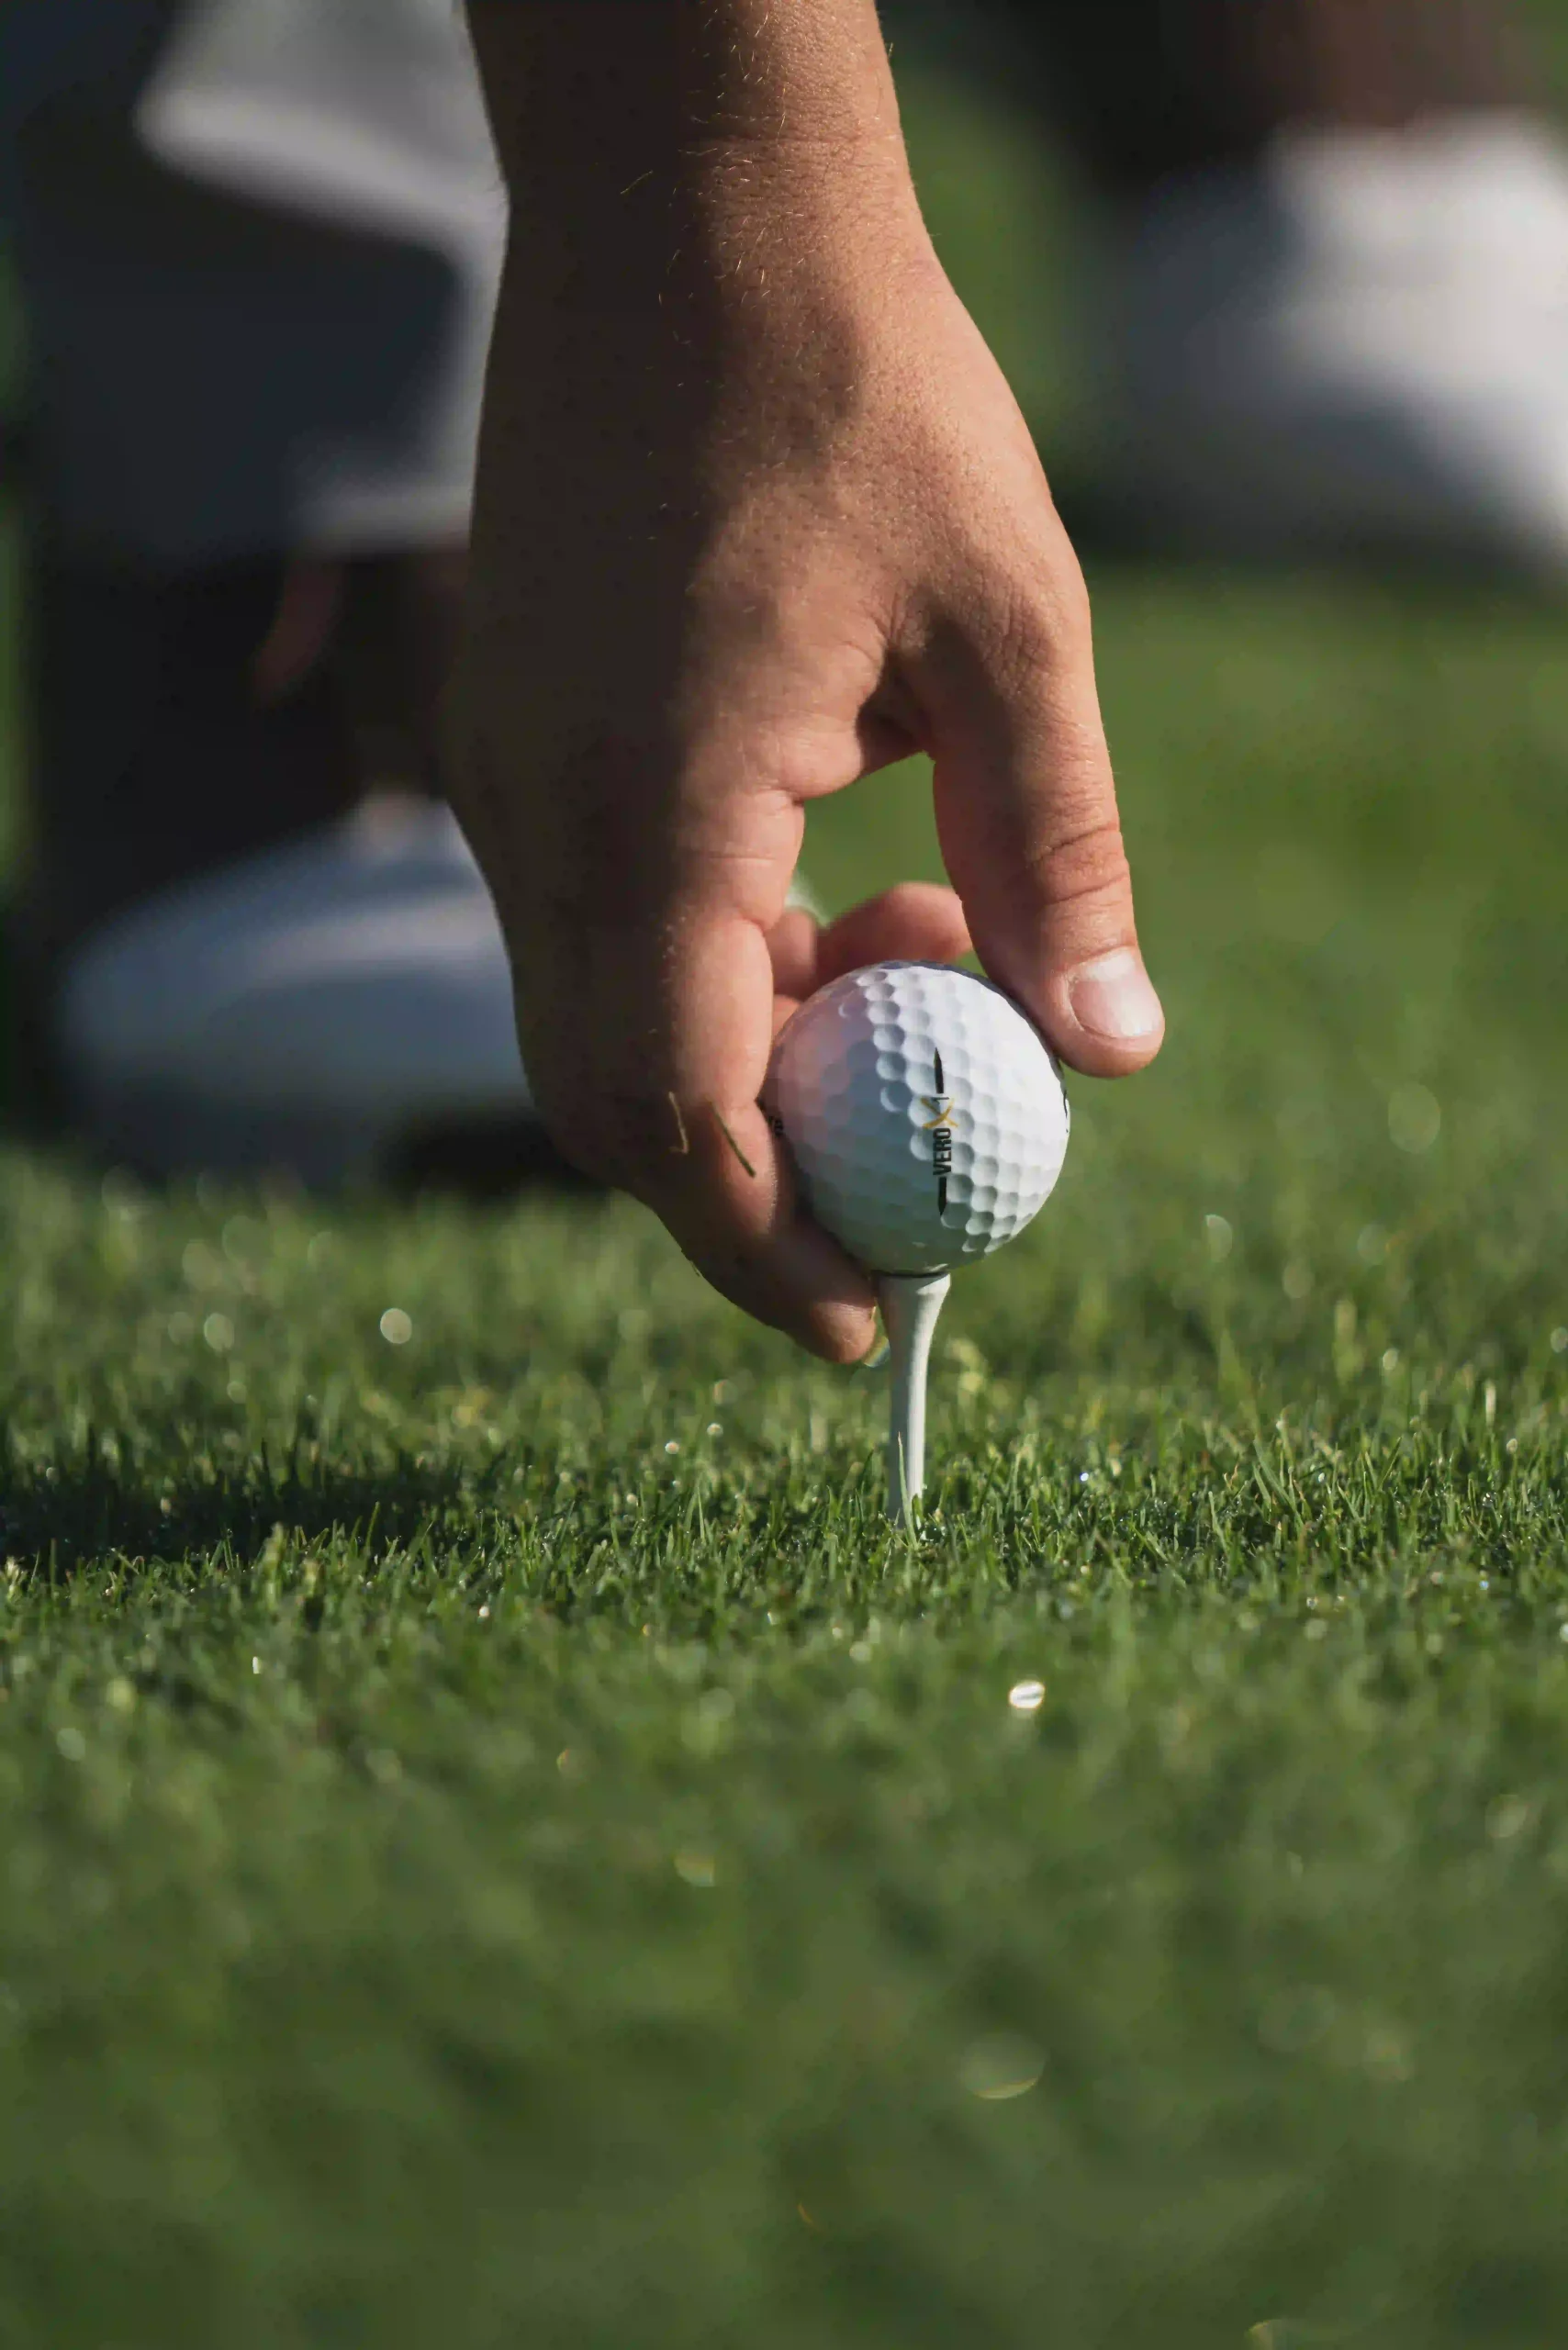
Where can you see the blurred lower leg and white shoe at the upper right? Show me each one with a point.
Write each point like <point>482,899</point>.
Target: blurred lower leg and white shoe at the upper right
<point>1341,307</point>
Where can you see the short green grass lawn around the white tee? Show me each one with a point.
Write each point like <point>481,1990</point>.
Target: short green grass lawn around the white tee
<point>500,1844</point>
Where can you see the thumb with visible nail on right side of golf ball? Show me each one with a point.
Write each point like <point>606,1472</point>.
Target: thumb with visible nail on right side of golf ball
<point>1026,812</point>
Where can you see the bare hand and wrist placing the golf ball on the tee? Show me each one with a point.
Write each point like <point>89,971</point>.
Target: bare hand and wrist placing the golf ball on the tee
<point>758,516</point>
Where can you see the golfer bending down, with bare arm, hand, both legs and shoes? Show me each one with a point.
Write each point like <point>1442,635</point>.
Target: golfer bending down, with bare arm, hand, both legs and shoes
<point>260,246</point>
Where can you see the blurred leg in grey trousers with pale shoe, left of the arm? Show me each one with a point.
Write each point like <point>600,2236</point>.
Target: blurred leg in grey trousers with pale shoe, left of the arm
<point>260,250</point>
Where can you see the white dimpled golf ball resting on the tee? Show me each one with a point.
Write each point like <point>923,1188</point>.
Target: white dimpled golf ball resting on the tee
<point>923,1110</point>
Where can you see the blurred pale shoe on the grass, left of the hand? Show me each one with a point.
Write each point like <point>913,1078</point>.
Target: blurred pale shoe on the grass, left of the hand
<point>340,1007</point>
